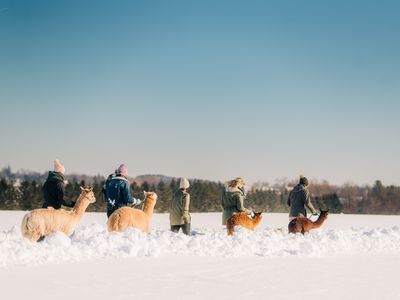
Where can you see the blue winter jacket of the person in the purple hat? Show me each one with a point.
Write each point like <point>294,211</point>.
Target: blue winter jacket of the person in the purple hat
<point>117,193</point>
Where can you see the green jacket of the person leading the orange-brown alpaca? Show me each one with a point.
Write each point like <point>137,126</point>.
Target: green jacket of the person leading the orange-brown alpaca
<point>232,202</point>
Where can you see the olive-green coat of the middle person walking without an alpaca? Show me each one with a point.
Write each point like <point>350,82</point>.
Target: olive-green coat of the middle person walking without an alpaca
<point>179,209</point>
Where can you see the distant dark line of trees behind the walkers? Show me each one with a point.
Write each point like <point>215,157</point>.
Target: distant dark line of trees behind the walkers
<point>23,191</point>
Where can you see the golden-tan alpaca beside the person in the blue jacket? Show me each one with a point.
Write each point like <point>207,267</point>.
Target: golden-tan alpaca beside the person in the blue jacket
<point>125,217</point>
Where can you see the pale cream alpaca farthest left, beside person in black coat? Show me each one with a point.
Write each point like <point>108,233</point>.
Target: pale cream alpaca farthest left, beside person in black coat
<point>43,221</point>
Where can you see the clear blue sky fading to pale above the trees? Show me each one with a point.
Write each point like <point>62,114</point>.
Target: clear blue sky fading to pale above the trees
<point>203,89</point>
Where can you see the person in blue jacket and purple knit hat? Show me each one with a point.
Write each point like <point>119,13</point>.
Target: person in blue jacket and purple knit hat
<point>117,191</point>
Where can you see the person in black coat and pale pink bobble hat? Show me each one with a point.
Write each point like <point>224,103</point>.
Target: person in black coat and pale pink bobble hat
<point>53,188</point>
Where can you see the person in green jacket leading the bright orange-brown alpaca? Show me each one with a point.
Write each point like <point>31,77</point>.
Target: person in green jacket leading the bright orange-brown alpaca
<point>233,199</point>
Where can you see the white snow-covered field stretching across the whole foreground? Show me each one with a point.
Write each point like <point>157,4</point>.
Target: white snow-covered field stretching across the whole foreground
<point>350,257</point>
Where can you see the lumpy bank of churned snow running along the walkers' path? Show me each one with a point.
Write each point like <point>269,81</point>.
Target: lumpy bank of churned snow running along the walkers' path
<point>94,242</point>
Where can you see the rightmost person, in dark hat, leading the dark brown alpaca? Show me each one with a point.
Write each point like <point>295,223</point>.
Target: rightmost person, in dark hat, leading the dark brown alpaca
<point>300,198</point>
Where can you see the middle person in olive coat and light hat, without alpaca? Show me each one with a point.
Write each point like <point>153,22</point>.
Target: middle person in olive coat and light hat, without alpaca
<point>179,216</point>
